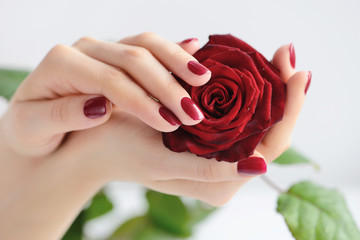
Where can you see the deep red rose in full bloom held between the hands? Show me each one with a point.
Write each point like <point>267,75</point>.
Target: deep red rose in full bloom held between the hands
<point>243,99</point>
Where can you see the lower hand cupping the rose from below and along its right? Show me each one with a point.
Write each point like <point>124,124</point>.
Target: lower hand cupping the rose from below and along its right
<point>126,149</point>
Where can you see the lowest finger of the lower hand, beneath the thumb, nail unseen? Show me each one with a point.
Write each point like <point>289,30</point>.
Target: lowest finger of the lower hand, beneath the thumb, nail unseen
<point>216,194</point>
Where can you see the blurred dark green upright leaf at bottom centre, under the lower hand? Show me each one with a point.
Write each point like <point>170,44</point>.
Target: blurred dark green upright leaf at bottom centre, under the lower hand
<point>169,212</point>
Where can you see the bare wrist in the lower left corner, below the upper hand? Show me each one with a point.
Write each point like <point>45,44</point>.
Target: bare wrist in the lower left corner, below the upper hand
<point>51,195</point>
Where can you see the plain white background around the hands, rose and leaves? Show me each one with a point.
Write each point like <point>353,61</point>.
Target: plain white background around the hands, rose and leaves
<point>326,35</point>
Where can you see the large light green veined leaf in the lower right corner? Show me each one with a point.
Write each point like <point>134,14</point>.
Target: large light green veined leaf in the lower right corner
<point>316,213</point>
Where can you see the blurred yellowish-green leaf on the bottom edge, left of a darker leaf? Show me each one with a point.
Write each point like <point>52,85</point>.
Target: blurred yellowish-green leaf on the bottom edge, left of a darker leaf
<point>141,228</point>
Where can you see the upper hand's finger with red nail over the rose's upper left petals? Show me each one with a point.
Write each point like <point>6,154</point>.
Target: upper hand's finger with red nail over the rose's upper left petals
<point>178,61</point>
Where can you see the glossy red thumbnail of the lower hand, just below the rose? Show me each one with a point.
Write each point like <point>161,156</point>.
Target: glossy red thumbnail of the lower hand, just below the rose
<point>252,166</point>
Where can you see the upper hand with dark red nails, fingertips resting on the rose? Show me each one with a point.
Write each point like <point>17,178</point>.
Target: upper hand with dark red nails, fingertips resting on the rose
<point>65,91</point>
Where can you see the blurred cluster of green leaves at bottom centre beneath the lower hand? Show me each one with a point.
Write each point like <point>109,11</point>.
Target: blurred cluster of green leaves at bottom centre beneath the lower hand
<point>168,217</point>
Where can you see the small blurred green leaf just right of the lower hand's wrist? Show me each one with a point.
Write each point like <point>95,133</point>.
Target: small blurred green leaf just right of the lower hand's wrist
<point>100,205</point>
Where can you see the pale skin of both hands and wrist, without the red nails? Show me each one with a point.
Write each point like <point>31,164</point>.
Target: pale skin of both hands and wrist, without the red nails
<point>46,179</point>
